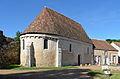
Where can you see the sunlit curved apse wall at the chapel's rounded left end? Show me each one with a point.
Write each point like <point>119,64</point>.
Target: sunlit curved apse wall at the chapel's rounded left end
<point>43,57</point>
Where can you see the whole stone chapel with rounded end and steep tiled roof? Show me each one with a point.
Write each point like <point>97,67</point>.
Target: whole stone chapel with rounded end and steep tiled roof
<point>53,39</point>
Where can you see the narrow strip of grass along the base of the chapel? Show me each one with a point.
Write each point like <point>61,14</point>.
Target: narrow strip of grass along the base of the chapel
<point>31,68</point>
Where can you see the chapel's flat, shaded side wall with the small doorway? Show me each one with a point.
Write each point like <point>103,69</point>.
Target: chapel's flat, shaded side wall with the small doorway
<point>77,48</point>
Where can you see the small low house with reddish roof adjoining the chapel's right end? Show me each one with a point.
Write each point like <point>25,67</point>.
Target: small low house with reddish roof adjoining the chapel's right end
<point>104,53</point>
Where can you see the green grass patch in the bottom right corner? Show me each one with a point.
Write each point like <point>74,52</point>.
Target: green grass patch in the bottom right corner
<point>100,74</point>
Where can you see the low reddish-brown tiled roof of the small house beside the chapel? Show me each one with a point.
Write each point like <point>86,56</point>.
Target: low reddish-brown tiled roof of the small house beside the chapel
<point>101,44</point>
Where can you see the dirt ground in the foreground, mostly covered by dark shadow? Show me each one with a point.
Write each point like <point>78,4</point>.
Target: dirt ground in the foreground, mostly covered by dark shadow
<point>80,73</point>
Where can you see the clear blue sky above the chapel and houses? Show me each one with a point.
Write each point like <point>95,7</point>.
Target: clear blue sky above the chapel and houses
<point>99,18</point>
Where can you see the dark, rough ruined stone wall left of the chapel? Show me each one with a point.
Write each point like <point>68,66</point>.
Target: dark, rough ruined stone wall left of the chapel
<point>9,51</point>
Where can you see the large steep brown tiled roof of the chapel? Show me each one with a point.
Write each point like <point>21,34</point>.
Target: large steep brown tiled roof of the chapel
<point>52,22</point>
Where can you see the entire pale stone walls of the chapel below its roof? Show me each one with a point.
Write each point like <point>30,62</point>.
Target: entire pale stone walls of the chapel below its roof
<point>57,53</point>
